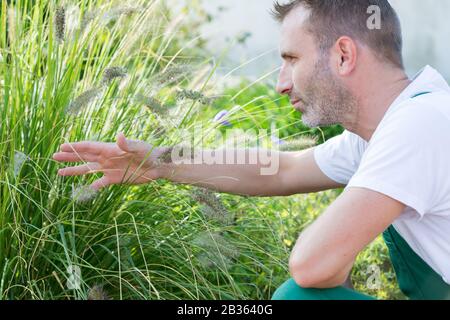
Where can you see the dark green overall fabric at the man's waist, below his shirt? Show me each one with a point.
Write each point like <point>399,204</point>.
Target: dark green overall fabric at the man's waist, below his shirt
<point>416,279</point>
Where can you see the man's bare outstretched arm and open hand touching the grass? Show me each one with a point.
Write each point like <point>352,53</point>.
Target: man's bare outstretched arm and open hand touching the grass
<point>137,162</point>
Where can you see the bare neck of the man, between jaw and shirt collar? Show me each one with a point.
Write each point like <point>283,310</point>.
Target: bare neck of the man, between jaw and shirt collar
<point>374,101</point>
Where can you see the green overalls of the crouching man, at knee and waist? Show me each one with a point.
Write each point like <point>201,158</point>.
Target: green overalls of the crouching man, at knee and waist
<point>415,278</point>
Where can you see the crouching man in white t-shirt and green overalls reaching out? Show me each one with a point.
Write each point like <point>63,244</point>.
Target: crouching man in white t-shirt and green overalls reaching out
<point>392,159</point>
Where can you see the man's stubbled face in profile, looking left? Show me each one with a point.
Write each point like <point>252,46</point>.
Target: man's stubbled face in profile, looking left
<point>306,75</point>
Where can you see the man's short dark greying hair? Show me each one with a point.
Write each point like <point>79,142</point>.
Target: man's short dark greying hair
<point>331,19</point>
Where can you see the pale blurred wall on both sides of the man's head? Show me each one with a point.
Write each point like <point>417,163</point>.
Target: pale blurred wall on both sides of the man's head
<point>248,24</point>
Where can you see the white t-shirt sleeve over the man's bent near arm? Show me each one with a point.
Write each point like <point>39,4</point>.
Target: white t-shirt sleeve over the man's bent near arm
<point>407,159</point>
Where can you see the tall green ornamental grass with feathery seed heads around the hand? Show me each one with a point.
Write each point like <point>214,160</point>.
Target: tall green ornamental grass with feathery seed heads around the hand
<point>75,74</point>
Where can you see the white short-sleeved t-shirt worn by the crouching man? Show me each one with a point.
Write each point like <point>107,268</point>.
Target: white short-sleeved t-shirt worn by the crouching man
<point>407,159</point>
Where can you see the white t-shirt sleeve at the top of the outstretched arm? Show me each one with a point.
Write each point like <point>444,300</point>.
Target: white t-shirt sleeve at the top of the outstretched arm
<point>339,157</point>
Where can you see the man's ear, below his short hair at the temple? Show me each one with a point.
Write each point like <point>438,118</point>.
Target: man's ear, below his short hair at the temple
<point>345,54</point>
